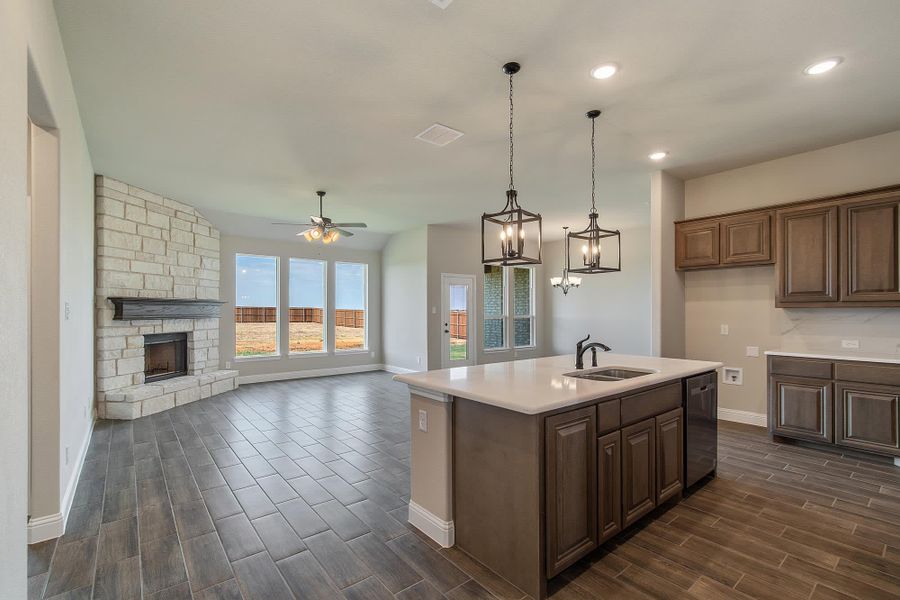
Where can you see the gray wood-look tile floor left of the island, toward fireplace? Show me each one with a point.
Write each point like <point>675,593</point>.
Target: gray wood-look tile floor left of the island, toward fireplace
<point>277,490</point>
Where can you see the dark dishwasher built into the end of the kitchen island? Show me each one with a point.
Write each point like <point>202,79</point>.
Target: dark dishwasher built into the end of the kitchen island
<point>700,427</point>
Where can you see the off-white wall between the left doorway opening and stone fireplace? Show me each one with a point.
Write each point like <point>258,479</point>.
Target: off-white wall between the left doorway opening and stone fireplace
<point>51,97</point>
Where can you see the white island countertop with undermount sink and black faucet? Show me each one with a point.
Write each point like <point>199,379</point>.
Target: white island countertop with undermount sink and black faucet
<point>539,385</point>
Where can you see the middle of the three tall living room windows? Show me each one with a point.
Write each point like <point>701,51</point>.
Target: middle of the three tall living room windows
<point>307,305</point>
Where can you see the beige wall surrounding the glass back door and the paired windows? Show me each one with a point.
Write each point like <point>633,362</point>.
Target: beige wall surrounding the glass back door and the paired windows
<point>457,250</point>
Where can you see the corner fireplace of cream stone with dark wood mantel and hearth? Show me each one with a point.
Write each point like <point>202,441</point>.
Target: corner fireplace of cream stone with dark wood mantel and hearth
<point>157,290</point>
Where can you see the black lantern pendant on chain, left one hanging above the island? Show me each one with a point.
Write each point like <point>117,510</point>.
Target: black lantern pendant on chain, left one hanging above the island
<point>513,235</point>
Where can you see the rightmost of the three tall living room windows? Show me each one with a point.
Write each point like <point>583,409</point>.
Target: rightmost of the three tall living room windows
<point>350,306</point>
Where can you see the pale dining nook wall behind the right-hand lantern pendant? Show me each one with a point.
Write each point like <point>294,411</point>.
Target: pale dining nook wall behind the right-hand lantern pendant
<point>615,308</point>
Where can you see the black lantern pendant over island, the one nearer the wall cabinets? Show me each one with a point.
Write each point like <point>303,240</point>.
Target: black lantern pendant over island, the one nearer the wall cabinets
<point>596,243</point>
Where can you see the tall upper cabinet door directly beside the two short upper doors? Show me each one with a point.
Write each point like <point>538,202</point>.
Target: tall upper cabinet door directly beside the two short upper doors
<point>807,255</point>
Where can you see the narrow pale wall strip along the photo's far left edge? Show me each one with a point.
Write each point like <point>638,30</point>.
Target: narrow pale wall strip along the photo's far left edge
<point>13,296</point>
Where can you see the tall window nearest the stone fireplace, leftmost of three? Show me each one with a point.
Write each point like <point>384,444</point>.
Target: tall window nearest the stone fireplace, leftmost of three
<point>255,305</point>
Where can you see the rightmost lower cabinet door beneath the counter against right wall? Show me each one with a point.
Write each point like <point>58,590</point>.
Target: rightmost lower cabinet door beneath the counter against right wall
<point>867,417</point>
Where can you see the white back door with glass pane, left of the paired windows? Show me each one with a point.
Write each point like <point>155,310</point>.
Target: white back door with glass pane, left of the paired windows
<point>457,320</point>
